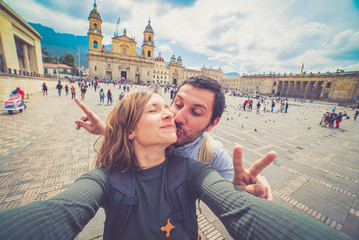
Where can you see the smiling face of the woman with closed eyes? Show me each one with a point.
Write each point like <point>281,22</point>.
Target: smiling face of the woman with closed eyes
<point>156,125</point>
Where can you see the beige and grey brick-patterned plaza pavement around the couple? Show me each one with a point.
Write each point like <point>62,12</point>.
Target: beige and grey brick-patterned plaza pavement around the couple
<point>316,172</point>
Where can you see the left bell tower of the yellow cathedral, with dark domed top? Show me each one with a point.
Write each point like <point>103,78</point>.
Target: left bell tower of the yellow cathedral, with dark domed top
<point>95,34</point>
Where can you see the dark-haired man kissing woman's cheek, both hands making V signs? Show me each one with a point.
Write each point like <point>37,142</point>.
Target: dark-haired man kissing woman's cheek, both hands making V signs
<point>198,106</point>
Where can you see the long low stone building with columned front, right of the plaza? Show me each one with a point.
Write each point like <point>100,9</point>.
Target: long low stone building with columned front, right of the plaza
<point>339,86</point>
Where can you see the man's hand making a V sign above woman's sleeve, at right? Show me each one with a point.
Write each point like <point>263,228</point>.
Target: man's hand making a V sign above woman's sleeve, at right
<point>250,180</point>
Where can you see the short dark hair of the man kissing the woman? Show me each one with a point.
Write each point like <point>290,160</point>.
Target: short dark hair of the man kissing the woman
<point>204,82</point>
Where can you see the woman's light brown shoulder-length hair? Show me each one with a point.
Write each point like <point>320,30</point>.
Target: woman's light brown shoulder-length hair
<point>116,150</point>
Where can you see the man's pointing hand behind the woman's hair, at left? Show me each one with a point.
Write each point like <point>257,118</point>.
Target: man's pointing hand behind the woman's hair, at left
<point>96,125</point>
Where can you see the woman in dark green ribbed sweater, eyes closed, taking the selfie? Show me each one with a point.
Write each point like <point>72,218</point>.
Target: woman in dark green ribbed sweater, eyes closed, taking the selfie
<point>139,131</point>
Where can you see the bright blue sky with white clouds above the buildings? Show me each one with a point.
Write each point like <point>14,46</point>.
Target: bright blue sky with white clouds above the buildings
<point>243,36</point>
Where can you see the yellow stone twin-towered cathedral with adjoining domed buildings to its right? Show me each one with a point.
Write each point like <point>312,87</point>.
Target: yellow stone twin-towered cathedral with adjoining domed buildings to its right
<point>122,61</point>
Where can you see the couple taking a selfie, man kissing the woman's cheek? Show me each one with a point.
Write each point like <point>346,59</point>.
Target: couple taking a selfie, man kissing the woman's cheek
<point>166,158</point>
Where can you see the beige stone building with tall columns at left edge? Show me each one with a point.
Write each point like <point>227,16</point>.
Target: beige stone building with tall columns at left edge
<point>20,45</point>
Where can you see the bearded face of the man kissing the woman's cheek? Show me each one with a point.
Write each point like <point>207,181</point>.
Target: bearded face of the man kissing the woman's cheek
<point>192,108</point>
